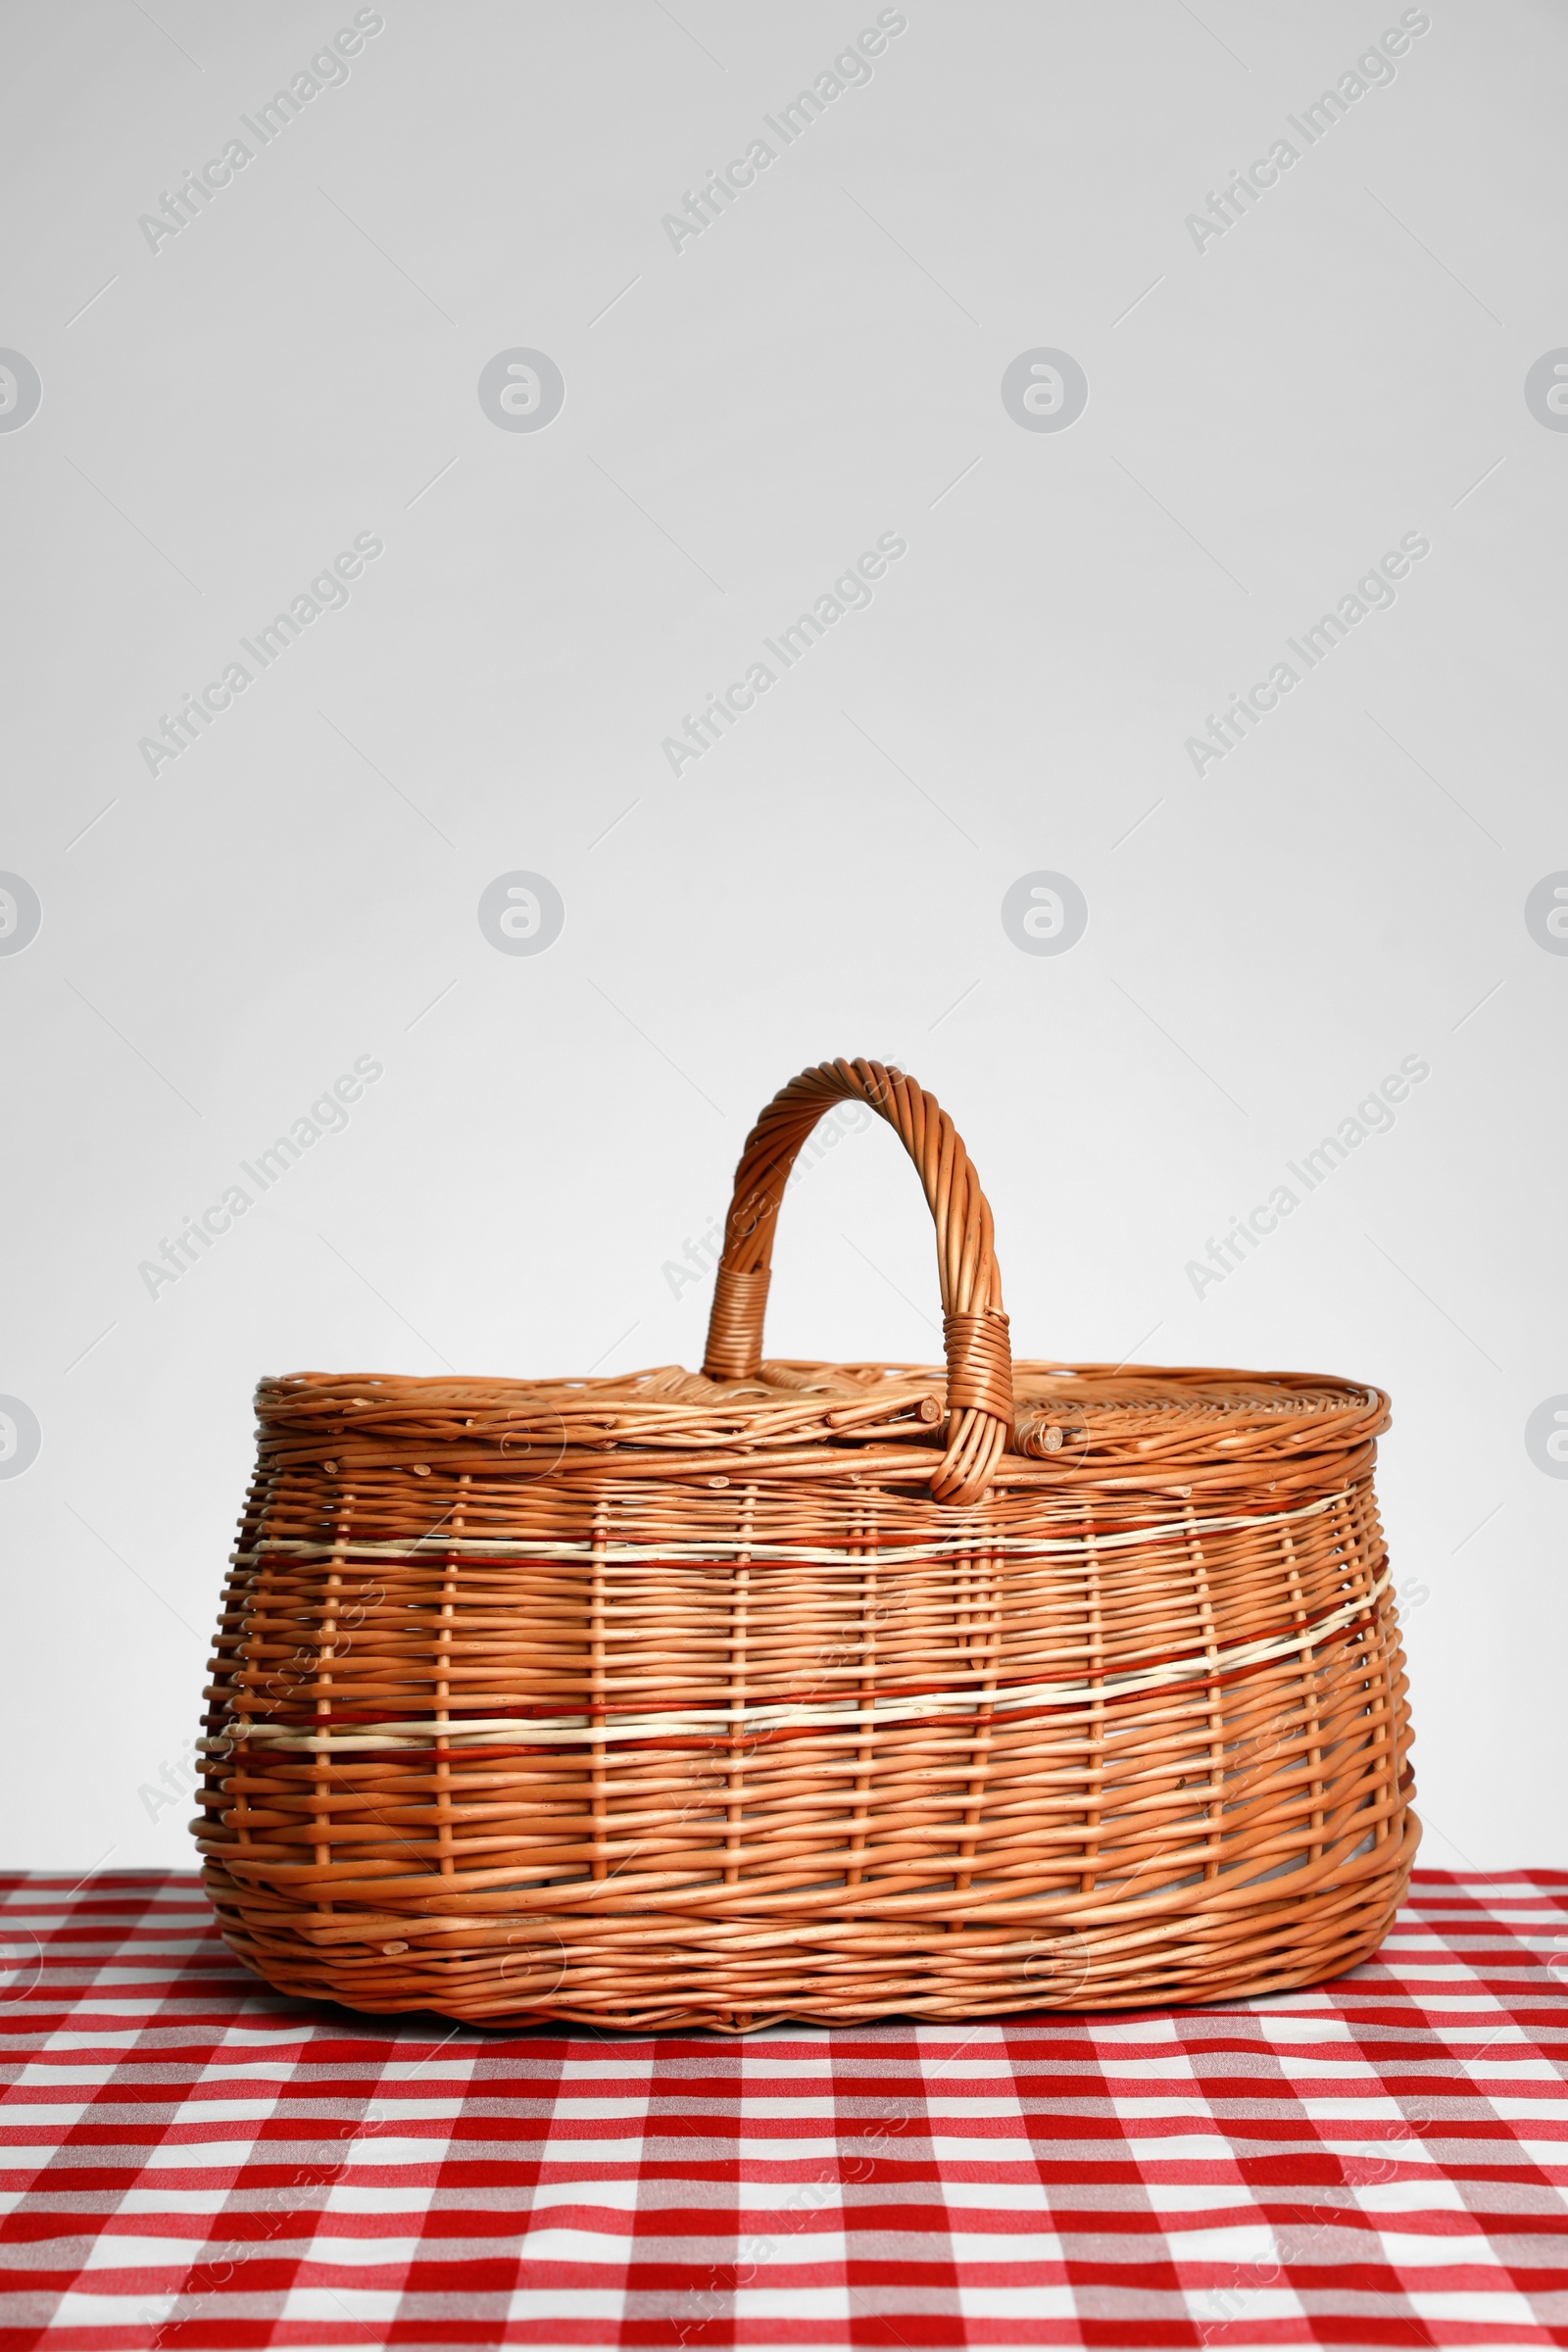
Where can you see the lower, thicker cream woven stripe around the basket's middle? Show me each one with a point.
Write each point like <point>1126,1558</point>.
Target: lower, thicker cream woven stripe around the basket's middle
<point>713,1723</point>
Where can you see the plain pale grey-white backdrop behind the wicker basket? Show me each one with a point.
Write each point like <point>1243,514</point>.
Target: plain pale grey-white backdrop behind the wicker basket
<point>742,420</point>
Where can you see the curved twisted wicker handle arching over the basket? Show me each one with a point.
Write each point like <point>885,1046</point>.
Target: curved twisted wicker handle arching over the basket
<point>974,1328</point>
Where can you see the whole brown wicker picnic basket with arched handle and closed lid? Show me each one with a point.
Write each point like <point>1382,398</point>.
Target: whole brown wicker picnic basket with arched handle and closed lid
<point>810,1690</point>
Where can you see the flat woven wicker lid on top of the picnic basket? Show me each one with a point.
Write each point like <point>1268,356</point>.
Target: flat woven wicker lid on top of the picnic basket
<point>1076,1424</point>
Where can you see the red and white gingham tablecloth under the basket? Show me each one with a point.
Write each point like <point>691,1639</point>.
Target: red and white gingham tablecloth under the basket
<point>196,2163</point>
